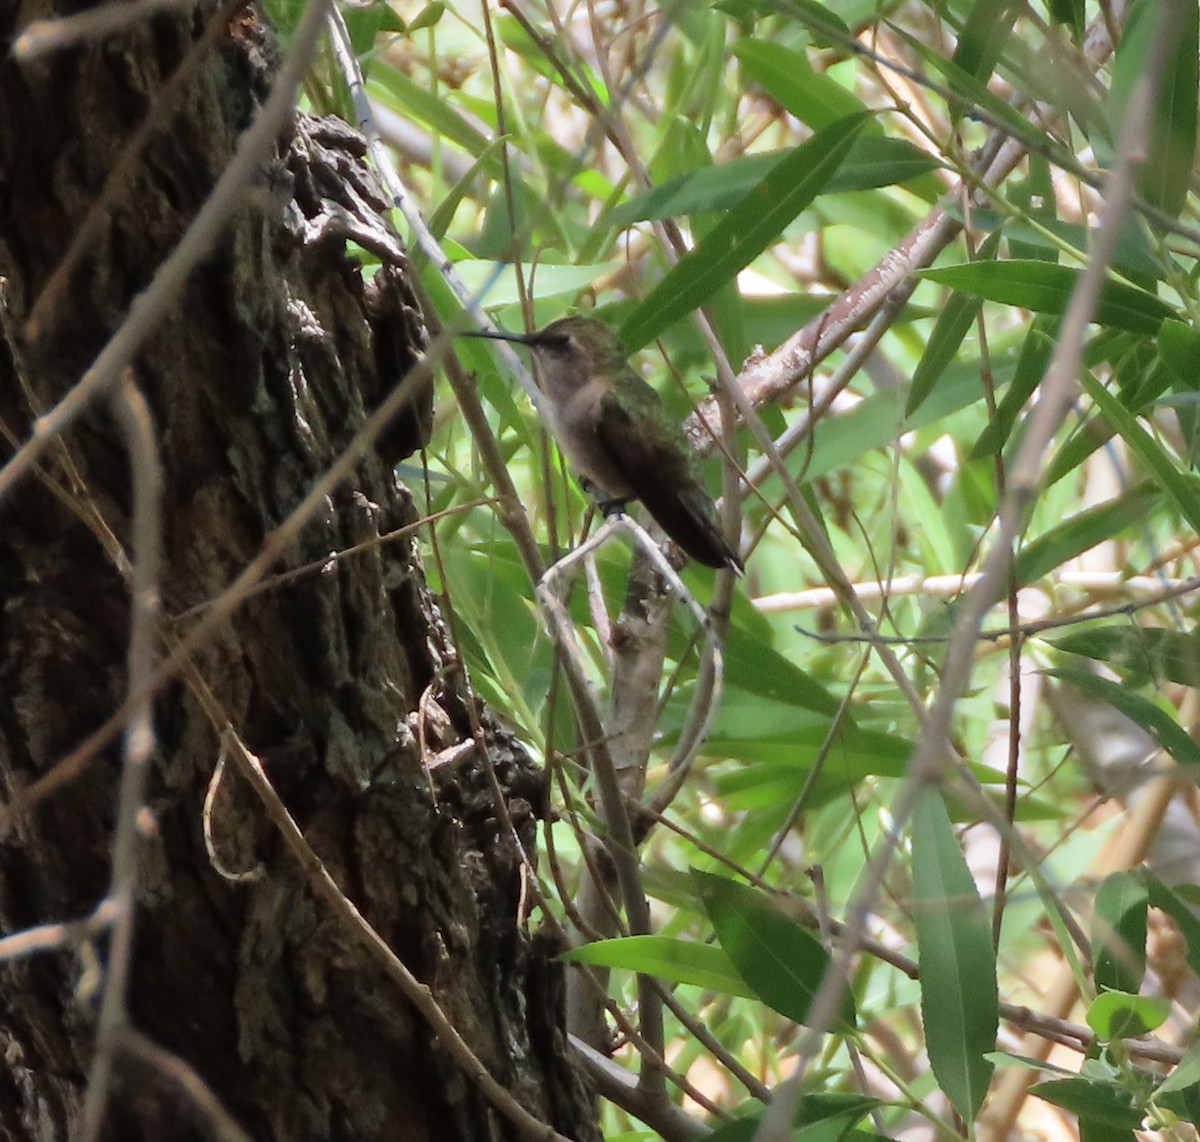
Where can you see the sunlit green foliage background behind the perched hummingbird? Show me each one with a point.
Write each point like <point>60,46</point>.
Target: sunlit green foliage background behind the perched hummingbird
<point>795,149</point>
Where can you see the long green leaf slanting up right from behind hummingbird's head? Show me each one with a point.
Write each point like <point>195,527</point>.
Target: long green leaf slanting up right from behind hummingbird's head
<point>745,233</point>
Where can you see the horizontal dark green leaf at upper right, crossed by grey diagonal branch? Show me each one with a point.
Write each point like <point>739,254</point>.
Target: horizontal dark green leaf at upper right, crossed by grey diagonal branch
<point>1047,288</point>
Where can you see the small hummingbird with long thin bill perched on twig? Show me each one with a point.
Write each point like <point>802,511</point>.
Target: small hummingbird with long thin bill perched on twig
<point>619,435</point>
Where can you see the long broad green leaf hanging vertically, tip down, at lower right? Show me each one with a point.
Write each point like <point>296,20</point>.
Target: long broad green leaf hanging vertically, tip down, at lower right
<point>959,1000</point>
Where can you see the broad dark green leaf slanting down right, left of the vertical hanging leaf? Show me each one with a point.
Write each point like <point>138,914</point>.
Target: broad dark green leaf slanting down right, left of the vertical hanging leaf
<point>782,961</point>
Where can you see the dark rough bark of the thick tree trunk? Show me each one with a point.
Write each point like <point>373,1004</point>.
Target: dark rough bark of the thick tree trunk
<point>256,382</point>
